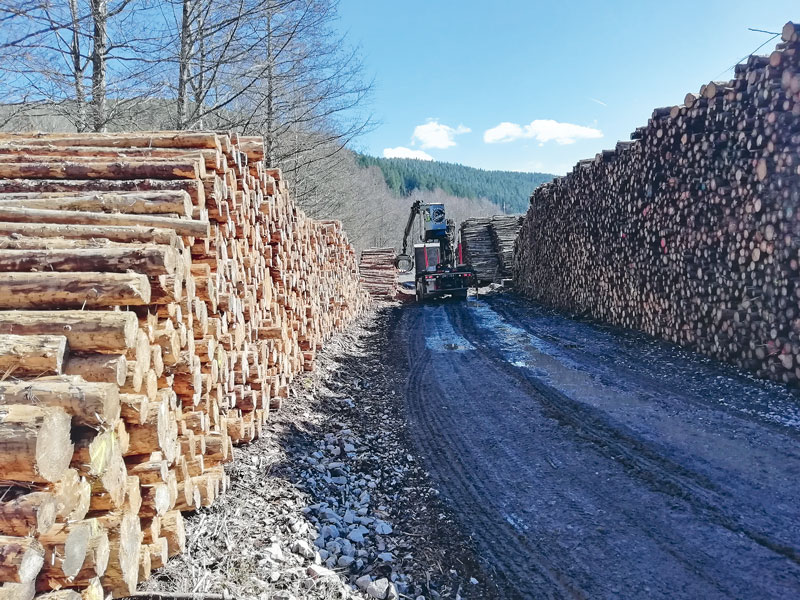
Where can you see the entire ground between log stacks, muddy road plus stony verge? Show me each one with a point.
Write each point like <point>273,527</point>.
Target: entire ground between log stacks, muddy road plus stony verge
<point>493,449</point>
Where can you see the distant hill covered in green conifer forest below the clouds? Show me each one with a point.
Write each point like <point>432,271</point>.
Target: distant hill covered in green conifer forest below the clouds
<point>508,189</point>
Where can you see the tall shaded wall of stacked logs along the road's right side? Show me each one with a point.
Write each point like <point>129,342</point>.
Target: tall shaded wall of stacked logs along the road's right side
<point>691,231</point>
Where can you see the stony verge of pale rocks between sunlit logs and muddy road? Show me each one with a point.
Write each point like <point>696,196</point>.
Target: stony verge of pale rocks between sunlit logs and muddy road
<point>254,542</point>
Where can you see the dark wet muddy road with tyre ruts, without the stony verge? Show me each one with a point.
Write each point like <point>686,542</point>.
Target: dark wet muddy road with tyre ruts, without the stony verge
<point>587,462</point>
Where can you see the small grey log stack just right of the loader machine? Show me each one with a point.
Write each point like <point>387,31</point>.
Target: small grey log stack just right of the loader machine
<point>488,245</point>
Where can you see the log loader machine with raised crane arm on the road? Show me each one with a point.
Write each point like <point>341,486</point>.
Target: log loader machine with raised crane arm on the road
<point>436,270</point>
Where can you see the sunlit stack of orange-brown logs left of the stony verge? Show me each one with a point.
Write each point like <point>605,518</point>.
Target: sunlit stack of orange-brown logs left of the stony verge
<point>158,293</point>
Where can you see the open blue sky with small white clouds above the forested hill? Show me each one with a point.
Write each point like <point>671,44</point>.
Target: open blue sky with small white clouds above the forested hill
<point>536,86</point>
